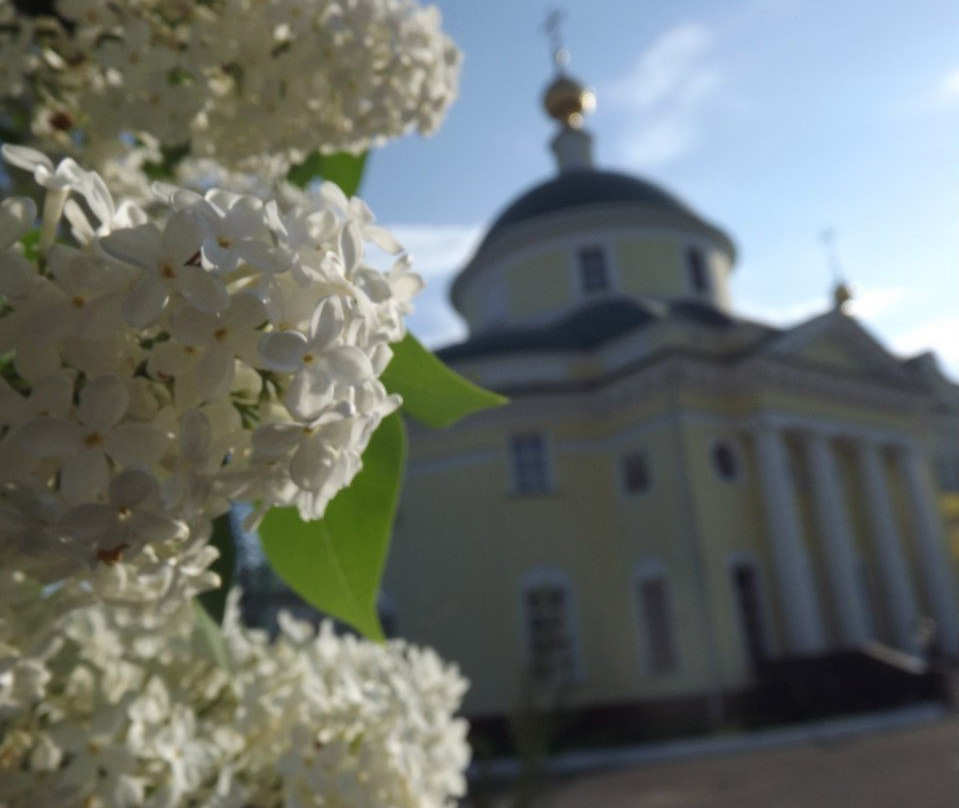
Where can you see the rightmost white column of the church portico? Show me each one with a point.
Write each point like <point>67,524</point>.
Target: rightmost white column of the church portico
<point>934,562</point>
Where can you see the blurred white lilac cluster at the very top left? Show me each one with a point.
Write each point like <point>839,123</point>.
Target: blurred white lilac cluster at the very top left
<point>251,84</point>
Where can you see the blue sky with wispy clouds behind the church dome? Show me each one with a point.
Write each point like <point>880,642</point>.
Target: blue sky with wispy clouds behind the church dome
<point>774,118</point>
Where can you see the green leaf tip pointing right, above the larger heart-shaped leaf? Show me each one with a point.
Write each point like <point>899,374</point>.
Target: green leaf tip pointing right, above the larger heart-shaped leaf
<point>432,393</point>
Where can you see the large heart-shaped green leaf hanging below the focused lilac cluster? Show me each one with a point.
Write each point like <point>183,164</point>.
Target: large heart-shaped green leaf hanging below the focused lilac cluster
<point>337,563</point>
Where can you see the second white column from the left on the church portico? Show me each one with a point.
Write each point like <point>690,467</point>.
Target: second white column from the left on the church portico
<point>836,536</point>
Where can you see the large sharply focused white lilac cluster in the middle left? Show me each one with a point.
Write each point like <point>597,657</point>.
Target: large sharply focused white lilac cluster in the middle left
<point>220,349</point>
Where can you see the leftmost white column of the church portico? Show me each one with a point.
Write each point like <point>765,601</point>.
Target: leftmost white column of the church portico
<point>794,576</point>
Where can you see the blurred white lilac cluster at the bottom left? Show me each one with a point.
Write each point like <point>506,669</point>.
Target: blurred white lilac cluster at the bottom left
<point>100,707</point>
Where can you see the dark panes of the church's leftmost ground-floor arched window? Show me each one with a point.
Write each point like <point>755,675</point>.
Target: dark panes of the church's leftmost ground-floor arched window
<point>552,653</point>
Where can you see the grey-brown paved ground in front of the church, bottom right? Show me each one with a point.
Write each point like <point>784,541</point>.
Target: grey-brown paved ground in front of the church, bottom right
<point>906,768</point>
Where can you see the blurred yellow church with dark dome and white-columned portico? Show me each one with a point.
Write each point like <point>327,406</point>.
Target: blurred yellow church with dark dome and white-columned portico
<point>677,498</point>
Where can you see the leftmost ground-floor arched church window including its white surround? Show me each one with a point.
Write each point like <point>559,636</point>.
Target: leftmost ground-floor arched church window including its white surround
<point>552,647</point>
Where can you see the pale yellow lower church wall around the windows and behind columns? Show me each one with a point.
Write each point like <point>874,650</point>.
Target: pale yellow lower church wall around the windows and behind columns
<point>600,537</point>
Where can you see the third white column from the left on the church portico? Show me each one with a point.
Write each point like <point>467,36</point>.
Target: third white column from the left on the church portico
<point>900,597</point>
